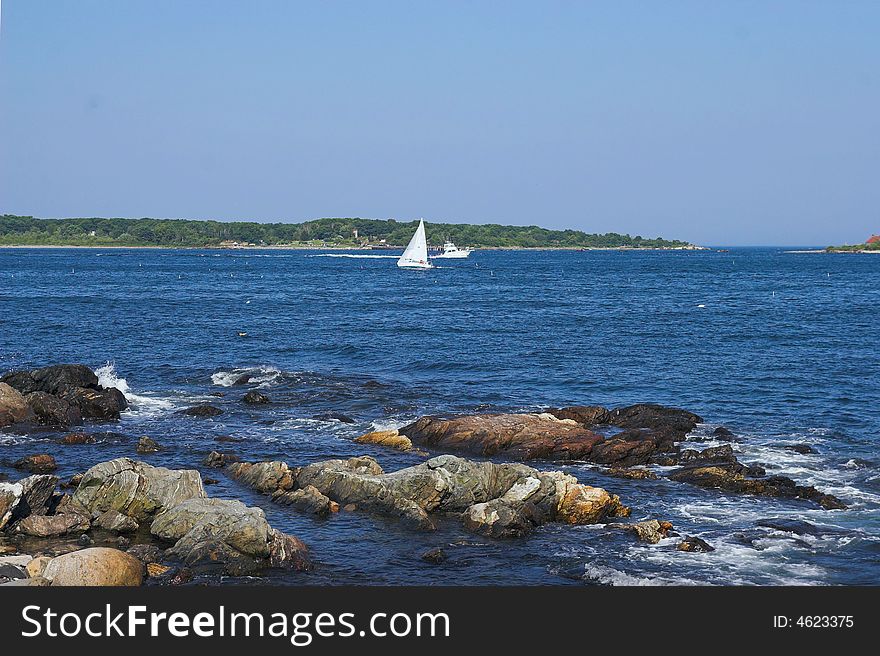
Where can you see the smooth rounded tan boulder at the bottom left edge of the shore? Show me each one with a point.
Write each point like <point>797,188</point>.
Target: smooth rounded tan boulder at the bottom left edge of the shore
<point>97,566</point>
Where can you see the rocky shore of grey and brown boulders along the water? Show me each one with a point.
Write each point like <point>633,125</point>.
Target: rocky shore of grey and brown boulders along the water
<point>127,522</point>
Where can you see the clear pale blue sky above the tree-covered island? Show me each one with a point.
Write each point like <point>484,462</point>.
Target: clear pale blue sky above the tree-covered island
<point>717,122</point>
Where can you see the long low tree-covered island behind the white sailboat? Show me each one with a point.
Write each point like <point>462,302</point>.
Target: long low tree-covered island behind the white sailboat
<point>319,233</point>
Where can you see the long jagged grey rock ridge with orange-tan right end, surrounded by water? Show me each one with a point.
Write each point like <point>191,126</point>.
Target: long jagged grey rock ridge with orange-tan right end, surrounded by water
<point>499,500</point>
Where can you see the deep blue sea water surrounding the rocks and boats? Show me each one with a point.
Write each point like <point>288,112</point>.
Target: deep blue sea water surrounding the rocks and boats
<point>780,347</point>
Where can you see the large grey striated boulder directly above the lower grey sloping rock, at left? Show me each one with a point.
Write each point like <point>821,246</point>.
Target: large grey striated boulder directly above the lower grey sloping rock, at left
<point>136,489</point>
